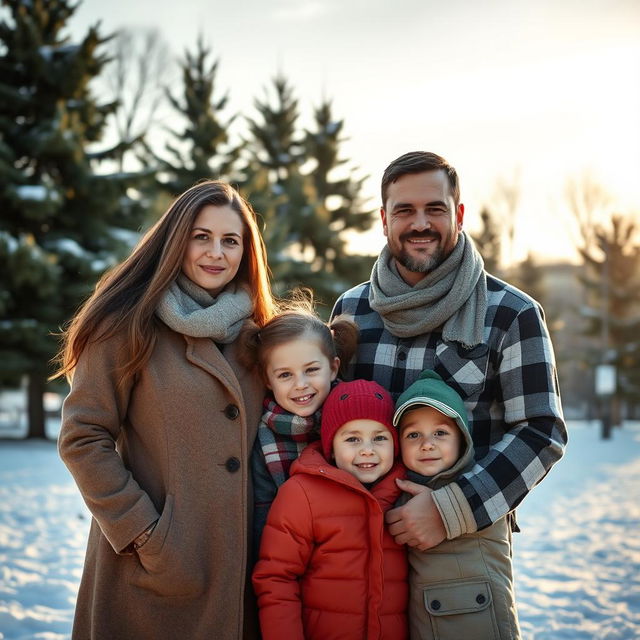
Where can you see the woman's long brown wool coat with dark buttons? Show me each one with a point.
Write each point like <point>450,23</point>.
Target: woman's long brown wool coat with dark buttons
<point>172,446</point>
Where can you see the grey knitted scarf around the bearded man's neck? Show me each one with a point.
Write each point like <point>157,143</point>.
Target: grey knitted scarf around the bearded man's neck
<point>452,296</point>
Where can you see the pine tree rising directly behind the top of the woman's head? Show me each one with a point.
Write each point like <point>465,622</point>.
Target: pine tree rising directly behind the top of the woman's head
<point>201,150</point>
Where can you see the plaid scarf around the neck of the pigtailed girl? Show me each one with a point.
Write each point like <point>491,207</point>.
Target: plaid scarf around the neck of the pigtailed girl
<point>283,436</point>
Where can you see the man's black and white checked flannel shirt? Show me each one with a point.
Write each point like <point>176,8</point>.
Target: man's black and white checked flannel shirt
<point>508,383</point>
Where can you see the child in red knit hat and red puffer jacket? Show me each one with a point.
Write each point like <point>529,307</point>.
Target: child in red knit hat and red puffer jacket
<point>328,568</point>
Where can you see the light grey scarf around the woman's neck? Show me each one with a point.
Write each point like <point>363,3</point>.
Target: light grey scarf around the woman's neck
<point>188,309</point>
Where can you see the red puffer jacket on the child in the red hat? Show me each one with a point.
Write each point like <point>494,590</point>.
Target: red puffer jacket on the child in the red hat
<point>328,567</point>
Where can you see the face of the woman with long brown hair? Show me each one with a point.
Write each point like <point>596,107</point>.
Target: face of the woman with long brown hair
<point>215,248</point>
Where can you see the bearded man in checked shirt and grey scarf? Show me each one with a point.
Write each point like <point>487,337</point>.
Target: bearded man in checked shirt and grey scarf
<point>430,305</point>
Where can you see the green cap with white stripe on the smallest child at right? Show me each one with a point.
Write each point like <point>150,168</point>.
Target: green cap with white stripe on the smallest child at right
<point>431,390</point>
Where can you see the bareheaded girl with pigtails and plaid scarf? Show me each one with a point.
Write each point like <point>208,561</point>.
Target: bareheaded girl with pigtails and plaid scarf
<point>298,356</point>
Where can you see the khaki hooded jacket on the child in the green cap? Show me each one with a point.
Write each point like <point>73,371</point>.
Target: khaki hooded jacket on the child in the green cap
<point>462,588</point>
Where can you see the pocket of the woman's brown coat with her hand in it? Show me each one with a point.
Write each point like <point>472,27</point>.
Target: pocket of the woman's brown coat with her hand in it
<point>162,567</point>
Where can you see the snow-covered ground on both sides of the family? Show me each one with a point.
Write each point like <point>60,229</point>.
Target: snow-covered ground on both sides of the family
<point>577,558</point>
